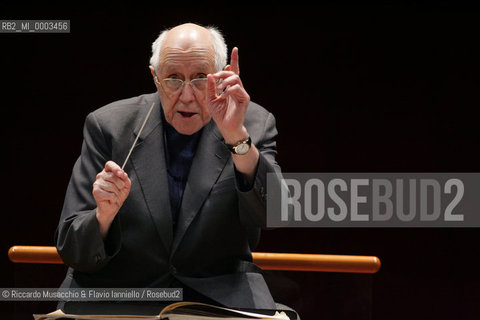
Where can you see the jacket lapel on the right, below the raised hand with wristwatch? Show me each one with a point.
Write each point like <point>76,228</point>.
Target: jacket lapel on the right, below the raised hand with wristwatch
<point>209,161</point>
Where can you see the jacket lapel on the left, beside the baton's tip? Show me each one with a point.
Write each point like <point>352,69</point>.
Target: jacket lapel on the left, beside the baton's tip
<point>148,160</point>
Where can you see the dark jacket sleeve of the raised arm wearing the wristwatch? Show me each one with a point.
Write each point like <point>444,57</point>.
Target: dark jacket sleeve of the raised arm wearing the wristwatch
<point>253,201</point>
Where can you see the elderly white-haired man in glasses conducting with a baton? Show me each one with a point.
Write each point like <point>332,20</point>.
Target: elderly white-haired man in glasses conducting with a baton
<point>189,205</point>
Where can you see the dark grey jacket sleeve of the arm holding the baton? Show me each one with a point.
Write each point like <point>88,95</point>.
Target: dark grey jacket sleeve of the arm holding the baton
<point>78,239</point>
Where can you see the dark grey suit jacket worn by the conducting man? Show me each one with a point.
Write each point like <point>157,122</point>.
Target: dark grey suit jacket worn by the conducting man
<point>218,224</point>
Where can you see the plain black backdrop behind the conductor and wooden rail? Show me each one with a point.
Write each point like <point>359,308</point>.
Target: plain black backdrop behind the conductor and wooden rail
<point>356,86</point>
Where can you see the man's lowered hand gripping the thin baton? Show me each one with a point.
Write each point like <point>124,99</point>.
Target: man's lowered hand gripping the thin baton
<point>110,190</point>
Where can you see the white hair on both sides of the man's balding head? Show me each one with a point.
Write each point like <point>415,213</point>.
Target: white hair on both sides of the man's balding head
<point>218,44</point>
